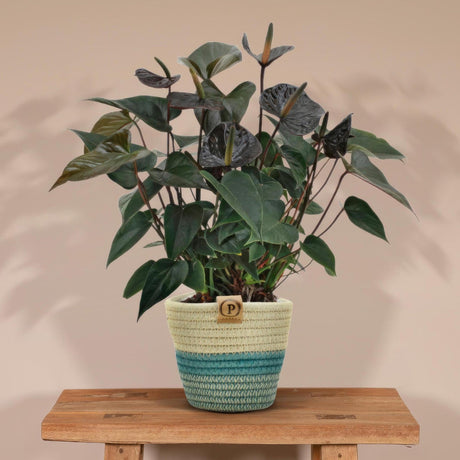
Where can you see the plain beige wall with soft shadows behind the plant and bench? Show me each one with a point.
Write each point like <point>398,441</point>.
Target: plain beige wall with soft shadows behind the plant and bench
<point>391,318</point>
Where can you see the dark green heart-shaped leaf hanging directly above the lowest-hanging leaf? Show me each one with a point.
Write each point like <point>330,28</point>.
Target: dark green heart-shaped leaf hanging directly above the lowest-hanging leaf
<point>181,226</point>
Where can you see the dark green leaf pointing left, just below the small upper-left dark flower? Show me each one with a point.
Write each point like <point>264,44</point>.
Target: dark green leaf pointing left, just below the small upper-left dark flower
<point>151,110</point>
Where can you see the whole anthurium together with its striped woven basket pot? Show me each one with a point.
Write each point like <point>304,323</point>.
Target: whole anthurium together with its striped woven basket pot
<point>236,212</point>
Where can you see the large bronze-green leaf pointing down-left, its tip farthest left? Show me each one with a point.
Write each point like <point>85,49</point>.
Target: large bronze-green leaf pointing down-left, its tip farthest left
<point>107,157</point>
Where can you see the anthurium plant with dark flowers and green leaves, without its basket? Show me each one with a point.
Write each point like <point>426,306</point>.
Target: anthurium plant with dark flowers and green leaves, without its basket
<point>236,212</point>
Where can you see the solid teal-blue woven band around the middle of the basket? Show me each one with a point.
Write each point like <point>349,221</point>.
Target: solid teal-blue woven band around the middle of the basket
<point>254,363</point>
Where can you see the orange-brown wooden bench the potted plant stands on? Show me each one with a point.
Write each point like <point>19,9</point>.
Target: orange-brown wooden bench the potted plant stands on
<point>333,420</point>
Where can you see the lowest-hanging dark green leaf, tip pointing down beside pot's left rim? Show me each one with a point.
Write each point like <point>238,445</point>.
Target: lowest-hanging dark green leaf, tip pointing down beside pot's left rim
<point>163,278</point>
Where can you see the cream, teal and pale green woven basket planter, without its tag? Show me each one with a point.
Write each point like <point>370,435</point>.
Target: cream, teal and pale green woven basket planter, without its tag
<point>229,367</point>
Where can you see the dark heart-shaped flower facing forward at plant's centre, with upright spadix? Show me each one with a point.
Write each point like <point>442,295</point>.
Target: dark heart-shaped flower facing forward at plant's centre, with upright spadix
<point>229,144</point>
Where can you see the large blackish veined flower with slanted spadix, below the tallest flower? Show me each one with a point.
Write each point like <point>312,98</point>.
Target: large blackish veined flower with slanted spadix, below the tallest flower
<point>298,114</point>
